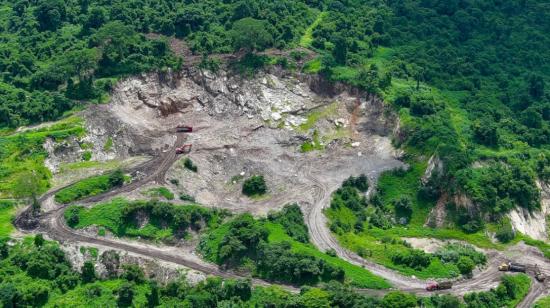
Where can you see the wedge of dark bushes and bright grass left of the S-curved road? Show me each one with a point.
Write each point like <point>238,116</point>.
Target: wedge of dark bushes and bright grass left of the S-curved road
<point>245,243</point>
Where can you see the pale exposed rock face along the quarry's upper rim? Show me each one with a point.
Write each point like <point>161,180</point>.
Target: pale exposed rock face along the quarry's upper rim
<point>156,101</point>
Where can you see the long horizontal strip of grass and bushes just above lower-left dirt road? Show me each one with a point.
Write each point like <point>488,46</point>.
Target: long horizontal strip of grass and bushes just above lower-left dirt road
<point>152,220</point>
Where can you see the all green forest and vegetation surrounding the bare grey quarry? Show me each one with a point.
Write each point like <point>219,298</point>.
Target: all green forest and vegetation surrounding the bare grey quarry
<point>468,80</point>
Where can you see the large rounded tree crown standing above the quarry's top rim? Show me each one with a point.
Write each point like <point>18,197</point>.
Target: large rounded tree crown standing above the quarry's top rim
<point>251,35</point>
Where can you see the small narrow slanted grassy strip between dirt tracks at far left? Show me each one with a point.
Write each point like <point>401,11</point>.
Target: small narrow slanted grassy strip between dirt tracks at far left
<point>90,187</point>
